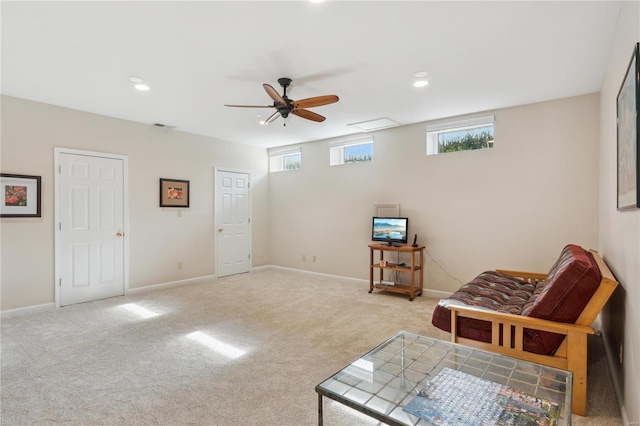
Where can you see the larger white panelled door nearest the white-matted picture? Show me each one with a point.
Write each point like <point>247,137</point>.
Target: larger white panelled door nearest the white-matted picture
<point>90,228</point>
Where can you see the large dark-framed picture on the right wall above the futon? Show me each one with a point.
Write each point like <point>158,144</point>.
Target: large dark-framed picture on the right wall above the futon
<point>628,124</point>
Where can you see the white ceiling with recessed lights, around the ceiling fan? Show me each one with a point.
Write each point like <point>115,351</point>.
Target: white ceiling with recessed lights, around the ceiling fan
<point>198,56</point>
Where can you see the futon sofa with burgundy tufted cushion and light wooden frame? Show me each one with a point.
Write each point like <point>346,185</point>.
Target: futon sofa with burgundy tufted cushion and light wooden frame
<point>539,317</point>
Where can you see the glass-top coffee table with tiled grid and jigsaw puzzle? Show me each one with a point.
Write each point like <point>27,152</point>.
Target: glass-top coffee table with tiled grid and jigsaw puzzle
<point>416,380</point>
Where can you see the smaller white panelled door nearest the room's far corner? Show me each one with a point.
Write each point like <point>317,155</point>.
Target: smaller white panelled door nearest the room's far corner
<point>233,223</point>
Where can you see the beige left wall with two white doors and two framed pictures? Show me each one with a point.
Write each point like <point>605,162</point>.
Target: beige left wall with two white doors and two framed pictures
<point>158,237</point>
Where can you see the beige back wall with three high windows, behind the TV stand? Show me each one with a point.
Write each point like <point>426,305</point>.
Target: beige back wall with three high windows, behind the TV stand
<point>512,206</point>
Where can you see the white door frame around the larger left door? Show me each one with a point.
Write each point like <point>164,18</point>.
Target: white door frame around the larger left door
<point>125,170</point>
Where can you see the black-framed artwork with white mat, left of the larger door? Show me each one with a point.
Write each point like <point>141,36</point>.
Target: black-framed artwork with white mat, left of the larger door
<point>21,195</point>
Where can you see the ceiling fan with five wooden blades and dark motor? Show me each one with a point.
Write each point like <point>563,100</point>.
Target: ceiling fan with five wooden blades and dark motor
<point>285,106</point>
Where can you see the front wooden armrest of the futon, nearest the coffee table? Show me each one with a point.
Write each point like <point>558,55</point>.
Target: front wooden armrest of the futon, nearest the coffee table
<point>518,320</point>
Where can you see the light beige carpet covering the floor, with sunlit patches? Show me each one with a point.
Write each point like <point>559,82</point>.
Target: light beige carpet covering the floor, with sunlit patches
<point>135,360</point>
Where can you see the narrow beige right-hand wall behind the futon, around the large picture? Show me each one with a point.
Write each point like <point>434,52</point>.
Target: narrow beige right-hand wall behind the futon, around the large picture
<point>620,231</point>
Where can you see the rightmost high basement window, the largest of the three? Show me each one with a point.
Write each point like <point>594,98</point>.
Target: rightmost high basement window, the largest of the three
<point>462,135</point>
